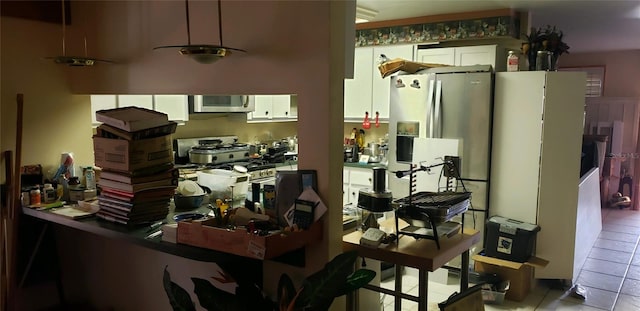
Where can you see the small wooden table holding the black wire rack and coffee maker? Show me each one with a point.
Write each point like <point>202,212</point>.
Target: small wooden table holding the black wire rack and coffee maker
<point>421,254</point>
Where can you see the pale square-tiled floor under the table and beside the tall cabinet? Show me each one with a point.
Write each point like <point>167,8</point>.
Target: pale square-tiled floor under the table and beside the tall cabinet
<point>610,275</point>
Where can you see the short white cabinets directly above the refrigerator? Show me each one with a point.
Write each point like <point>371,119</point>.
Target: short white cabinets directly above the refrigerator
<point>465,56</point>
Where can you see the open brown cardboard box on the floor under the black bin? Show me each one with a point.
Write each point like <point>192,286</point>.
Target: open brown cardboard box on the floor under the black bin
<point>519,274</point>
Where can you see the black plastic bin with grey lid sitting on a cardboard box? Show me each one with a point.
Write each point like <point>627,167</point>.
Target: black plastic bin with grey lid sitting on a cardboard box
<point>510,239</point>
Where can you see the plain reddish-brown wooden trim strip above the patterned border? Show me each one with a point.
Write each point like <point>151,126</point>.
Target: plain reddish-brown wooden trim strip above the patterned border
<point>436,18</point>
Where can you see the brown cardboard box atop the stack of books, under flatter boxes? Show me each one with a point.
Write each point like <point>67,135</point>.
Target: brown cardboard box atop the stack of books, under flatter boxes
<point>130,155</point>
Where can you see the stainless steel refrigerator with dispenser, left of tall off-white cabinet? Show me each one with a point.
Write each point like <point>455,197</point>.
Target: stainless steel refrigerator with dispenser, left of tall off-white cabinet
<point>445,102</point>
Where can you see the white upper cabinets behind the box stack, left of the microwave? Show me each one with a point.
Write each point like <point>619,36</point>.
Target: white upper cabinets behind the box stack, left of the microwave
<point>175,106</point>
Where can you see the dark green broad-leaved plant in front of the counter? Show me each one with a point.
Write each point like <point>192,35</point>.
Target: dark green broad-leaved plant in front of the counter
<point>317,292</point>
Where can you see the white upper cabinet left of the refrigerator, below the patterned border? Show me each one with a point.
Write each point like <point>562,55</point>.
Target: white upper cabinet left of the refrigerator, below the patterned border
<point>368,91</point>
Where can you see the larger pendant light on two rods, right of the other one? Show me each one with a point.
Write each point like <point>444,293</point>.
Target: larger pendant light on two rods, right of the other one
<point>203,53</point>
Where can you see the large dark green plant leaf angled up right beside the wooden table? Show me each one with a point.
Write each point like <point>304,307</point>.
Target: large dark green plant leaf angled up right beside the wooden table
<point>320,288</point>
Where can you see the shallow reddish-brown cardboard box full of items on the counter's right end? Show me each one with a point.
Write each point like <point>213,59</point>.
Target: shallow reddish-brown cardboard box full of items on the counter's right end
<point>203,233</point>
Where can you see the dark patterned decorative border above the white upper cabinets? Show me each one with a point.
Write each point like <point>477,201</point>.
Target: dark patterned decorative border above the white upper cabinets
<point>490,27</point>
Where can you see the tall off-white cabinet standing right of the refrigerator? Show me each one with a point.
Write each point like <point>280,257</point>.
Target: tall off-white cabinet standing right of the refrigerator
<point>535,165</point>
